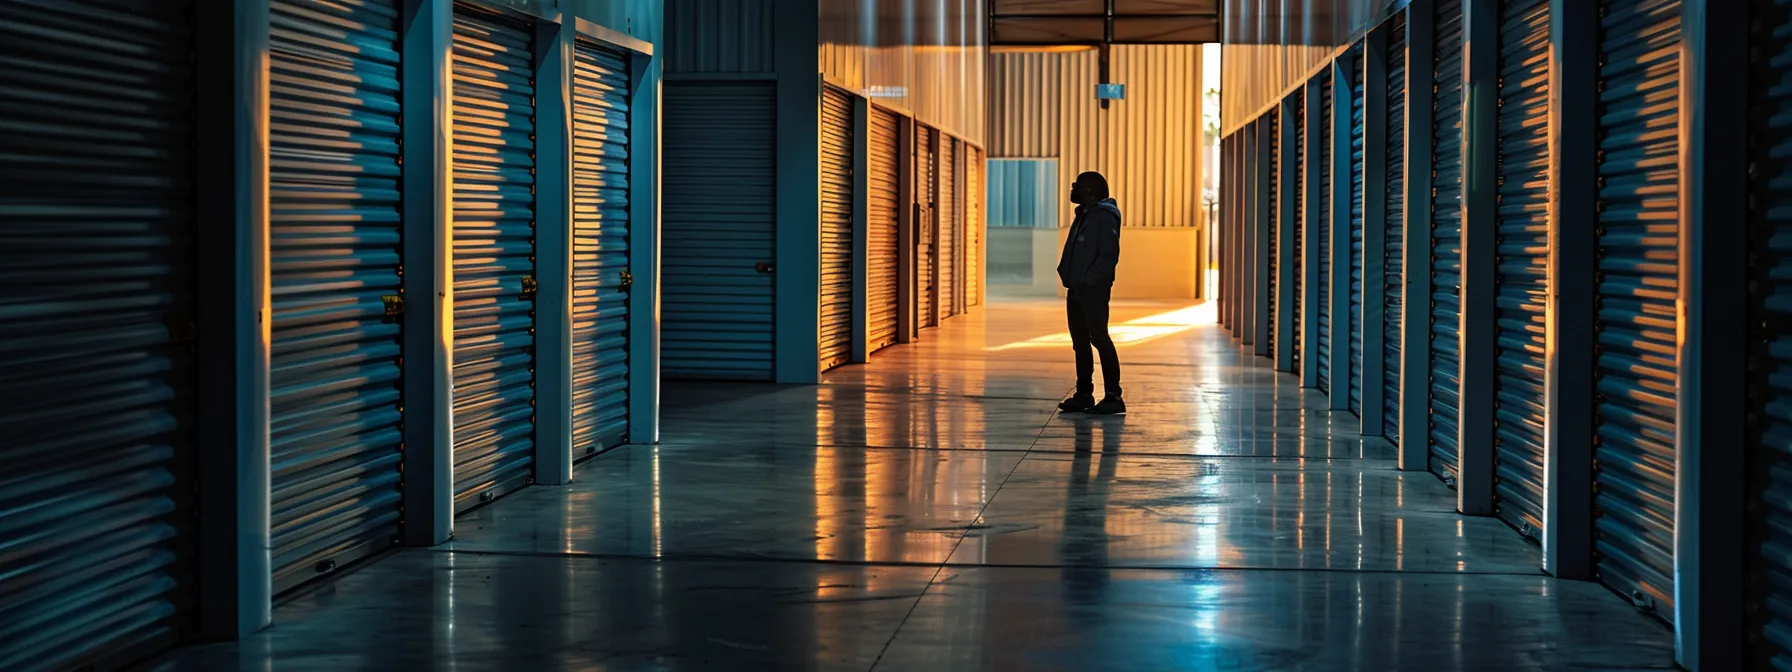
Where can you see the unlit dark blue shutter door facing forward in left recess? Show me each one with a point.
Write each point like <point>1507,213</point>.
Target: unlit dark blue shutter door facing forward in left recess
<point>719,177</point>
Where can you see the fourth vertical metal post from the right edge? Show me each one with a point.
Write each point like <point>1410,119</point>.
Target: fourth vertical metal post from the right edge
<point>1417,318</point>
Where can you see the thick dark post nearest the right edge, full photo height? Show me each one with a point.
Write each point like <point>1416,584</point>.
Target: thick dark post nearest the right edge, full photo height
<point>1710,542</point>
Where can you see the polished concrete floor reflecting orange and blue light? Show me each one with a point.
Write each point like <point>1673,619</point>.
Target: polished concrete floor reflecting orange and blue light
<point>931,512</point>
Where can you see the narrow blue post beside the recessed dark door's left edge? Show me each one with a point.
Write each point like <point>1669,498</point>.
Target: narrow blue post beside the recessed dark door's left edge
<point>644,245</point>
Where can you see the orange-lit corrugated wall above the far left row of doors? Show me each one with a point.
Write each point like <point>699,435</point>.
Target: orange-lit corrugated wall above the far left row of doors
<point>924,56</point>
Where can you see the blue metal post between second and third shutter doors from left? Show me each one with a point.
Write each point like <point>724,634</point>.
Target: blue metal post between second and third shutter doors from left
<point>429,263</point>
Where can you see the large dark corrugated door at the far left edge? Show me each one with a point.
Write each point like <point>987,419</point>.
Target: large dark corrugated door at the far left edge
<point>98,318</point>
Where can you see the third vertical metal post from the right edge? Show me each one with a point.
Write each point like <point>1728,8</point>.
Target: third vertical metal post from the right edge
<point>1481,257</point>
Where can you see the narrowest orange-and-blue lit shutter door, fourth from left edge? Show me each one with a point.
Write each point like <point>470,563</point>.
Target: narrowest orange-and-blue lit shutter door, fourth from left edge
<point>601,144</point>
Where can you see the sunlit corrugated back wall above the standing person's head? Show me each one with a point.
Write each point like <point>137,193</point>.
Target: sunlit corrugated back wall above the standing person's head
<point>1148,146</point>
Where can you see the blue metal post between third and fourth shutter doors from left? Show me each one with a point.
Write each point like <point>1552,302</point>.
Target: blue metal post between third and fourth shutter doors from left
<point>555,254</point>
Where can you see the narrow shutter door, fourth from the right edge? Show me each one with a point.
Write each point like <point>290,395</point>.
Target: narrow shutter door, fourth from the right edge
<point>1447,239</point>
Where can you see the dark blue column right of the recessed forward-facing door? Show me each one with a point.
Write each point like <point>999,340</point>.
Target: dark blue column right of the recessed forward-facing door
<point>798,130</point>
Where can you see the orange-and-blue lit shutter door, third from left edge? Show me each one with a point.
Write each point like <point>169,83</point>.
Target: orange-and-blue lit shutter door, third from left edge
<point>494,257</point>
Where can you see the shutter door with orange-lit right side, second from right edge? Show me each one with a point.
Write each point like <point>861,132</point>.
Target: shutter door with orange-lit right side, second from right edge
<point>1639,279</point>
